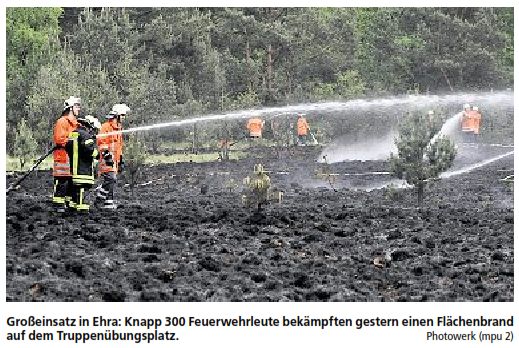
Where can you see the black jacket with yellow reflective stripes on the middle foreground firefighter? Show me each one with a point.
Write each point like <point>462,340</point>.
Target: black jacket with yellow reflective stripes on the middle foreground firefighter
<point>82,151</point>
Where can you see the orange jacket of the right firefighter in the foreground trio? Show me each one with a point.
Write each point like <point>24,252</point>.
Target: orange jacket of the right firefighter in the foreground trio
<point>112,142</point>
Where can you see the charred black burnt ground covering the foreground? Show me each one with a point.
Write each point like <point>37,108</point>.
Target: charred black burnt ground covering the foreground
<point>171,242</point>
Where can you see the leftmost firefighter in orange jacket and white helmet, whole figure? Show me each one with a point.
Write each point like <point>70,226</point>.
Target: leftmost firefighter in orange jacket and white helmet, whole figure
<point>66,124</point>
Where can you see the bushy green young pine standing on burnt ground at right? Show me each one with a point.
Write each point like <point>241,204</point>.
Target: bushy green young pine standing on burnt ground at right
<point>418,159</point>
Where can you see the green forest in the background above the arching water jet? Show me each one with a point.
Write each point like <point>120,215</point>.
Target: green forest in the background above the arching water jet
<point>179,62</point>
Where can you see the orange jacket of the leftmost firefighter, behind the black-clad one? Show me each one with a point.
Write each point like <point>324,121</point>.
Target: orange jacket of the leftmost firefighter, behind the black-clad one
<point>62,129</point>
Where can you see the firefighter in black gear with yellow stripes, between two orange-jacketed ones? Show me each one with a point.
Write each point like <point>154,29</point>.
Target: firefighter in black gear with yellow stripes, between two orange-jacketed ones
<point>82,151</point>
